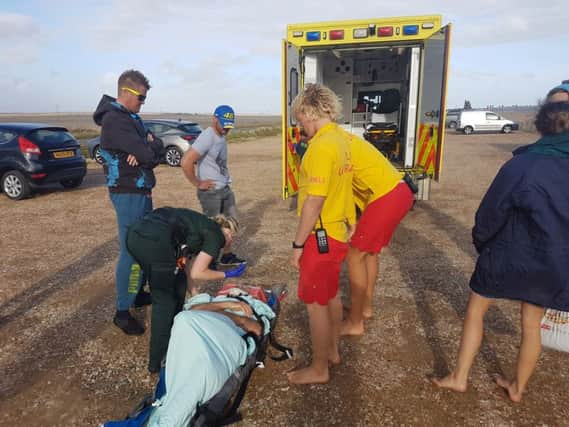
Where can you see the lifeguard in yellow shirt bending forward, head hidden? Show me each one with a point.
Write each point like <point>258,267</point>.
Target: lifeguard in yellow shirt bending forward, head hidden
<point>384,199</point>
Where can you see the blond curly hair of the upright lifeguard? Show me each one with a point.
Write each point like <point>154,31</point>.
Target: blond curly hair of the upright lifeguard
<point>317,101</point>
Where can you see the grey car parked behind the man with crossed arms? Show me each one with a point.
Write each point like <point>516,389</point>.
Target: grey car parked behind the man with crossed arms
<point>177,135</point>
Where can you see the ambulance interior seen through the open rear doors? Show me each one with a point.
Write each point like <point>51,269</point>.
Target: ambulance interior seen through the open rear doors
<point>373,84</point>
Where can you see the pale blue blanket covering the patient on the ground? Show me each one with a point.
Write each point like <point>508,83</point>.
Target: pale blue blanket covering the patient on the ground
<point>205,349</point>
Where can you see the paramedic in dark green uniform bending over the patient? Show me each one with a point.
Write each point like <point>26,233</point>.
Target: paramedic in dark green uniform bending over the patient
<point>161,242</point>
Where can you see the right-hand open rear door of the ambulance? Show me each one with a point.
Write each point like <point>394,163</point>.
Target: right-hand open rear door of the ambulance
<point>432,102</point>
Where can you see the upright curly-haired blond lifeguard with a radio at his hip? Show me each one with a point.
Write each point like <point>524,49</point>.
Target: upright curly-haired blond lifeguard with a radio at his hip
<point>325,207</point>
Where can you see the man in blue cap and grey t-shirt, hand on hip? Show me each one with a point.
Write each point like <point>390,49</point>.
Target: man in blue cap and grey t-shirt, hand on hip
<point>212,180</point>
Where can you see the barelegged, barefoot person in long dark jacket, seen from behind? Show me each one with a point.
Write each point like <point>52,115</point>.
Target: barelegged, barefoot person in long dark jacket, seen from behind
<point>521,234</point>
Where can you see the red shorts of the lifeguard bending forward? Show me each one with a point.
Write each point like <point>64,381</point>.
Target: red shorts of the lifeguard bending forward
<point>380,218</point>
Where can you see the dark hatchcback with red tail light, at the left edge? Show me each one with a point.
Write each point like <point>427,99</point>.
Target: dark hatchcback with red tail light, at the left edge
<point>34,154</point>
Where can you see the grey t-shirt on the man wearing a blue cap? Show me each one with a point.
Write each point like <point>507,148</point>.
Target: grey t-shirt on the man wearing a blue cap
<point>213,162</point>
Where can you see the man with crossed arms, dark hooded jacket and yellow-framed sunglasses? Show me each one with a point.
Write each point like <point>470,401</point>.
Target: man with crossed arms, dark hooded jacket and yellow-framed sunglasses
<point>130,154</point>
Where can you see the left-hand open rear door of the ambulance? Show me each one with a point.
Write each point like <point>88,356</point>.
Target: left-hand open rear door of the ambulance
<point>290,131</point>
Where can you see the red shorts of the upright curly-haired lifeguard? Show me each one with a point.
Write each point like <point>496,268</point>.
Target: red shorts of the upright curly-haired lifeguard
<point>320,273</point>
